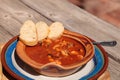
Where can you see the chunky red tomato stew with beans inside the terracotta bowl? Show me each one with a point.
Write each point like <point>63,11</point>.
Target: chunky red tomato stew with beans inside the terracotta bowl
<point>63,51</point>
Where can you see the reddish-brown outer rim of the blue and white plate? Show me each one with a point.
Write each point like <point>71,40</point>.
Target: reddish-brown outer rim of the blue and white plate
<point>103,69</point>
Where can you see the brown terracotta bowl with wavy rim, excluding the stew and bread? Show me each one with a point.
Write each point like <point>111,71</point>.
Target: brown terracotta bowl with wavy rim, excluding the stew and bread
<point>52,68</point>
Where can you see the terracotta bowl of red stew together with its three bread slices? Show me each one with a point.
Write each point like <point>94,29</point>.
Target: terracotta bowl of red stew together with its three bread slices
<point>56,52</point>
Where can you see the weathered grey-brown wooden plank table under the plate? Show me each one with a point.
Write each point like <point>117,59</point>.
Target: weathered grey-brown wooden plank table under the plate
<point>14,13</point>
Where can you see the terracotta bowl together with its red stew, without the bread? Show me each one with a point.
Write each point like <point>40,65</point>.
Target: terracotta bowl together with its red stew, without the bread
<point>58,61</point>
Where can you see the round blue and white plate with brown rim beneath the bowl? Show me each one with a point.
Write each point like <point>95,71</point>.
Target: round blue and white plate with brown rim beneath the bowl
<point>19,70</point>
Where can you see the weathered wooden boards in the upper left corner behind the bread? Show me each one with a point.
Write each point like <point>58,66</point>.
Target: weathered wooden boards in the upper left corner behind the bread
<point>12,16</point>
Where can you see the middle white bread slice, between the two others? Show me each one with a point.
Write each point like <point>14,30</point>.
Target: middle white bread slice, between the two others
<point>42,30</point>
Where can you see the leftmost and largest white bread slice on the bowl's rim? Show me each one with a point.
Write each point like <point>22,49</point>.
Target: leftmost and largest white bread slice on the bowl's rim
<point>28,33</point>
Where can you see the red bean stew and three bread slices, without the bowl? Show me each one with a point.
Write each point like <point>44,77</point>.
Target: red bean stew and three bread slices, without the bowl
<point>53,46</point>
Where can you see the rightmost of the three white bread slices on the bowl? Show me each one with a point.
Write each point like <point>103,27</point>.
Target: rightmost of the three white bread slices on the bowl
<point>56,30</point>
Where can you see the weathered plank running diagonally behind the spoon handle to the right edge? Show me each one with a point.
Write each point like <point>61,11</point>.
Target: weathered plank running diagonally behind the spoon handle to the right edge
<point>77,20</point>
